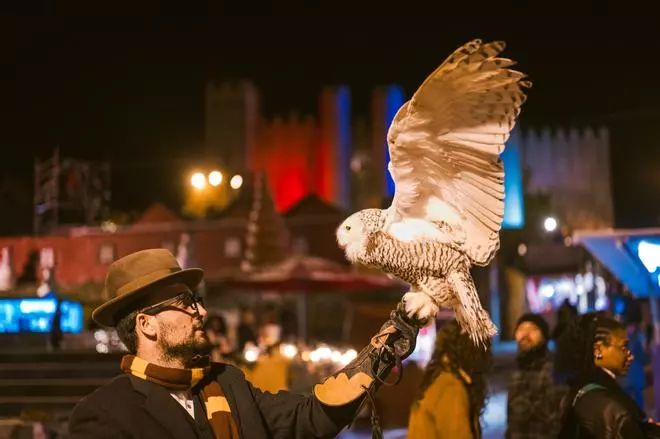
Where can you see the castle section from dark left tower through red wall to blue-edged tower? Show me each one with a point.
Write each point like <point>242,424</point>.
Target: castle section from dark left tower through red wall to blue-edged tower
<point>301,156</point>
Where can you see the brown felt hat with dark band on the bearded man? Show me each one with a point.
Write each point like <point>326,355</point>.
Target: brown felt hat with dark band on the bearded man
<point>139,280</point>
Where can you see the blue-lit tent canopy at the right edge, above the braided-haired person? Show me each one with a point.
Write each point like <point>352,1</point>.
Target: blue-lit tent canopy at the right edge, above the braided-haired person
<point>619,251</point>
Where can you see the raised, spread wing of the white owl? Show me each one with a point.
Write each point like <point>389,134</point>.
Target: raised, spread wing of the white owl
<point>445,144</point>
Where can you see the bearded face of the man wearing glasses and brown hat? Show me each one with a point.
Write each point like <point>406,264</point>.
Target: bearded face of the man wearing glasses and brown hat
<point>180,330</point>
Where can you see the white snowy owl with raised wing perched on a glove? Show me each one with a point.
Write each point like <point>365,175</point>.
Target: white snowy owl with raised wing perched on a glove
<point>448,205</point>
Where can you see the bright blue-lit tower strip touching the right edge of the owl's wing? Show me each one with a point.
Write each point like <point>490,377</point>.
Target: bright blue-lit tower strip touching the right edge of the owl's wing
<point>514,217</point>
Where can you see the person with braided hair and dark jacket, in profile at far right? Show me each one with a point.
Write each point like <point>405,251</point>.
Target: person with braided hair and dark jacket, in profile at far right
<point>591,353</point>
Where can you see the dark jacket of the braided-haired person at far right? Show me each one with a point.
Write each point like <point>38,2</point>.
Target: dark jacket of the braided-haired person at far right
<point>604,413</point>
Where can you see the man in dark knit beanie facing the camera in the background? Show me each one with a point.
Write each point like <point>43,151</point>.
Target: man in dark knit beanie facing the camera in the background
<point>534,400</point>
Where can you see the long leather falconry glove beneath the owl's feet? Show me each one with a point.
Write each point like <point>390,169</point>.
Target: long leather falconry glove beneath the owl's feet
<point>394,342</point>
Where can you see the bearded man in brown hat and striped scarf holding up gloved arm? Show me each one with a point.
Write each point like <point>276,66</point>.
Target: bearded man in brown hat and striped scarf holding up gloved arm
<point>170,391</point>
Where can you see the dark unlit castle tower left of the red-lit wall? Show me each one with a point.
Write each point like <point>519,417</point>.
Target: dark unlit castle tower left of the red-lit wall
<point>230,125</point>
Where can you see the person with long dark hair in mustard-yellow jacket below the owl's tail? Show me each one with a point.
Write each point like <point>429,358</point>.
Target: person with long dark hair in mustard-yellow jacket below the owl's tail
<point>453,391</point>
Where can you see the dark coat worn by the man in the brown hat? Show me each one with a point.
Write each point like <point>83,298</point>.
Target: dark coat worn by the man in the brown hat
<point>130,407</point>
